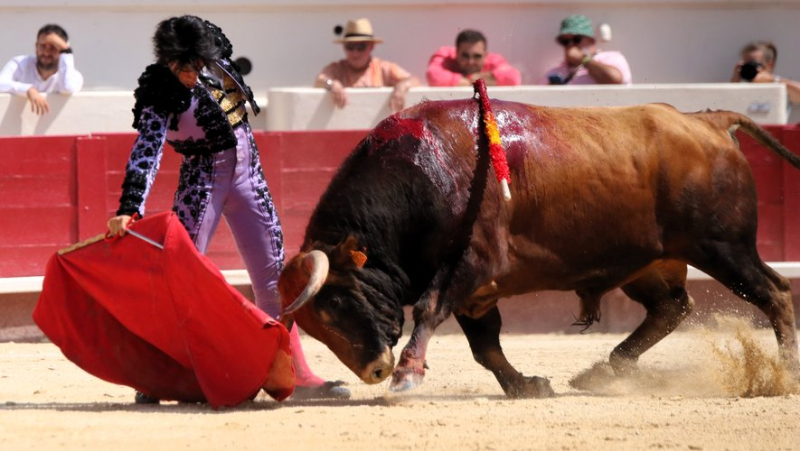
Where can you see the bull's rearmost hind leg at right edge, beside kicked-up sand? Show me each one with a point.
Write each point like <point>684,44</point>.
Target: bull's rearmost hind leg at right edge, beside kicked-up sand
<point>738,267</point>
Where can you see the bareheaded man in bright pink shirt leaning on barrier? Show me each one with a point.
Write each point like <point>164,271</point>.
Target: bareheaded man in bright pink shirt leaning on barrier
<point>468,61</point>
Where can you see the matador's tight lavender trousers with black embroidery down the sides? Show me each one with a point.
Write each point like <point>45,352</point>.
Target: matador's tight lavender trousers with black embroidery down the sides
<point>231,183</point>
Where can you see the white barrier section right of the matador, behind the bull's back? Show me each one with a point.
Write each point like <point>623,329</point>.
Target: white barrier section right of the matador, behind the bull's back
<point>313,109</point>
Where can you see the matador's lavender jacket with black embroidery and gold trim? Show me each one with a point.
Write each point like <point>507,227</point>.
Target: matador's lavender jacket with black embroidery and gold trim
<point>197,121</point>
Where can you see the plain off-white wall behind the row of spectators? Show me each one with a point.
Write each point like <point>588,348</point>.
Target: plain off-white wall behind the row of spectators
<point>671,41</point>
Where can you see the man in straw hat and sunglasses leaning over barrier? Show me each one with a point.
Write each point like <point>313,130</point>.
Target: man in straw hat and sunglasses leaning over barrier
<point>360,69</point>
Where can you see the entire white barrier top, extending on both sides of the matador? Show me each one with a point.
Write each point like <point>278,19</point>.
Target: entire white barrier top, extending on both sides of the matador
<point>313,109</point>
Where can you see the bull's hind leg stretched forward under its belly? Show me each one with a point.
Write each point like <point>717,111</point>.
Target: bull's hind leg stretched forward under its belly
<point>662,292</point>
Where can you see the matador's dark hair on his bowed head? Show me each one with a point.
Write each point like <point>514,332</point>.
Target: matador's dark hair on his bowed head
<point>185,40</point>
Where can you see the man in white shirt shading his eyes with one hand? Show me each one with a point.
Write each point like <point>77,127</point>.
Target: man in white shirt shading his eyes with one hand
<point>51,69</point>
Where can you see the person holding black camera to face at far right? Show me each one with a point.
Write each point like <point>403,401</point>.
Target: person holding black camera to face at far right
<point>757,65</point>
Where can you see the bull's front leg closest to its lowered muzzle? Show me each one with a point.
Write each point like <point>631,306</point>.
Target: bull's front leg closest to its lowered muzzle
<point>428,313</point>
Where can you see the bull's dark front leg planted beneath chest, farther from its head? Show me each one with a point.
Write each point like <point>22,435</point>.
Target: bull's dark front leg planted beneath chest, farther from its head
<point>483,335</point>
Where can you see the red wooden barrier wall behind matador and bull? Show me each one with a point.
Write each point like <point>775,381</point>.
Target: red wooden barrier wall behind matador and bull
<point>59,190</point>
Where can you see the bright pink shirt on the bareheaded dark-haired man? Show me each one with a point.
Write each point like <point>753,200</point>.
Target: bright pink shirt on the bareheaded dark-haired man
<point>443,69</point>
